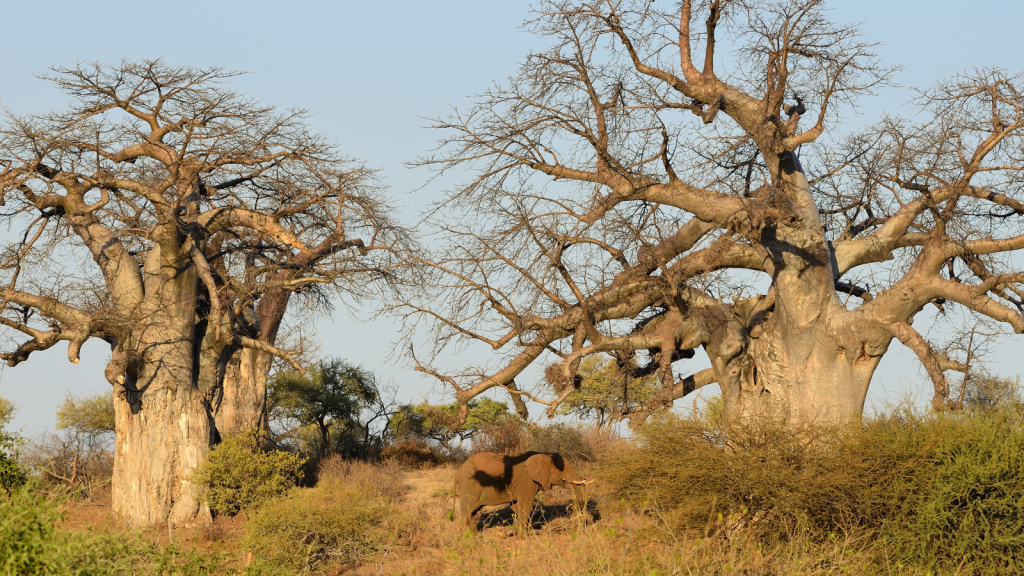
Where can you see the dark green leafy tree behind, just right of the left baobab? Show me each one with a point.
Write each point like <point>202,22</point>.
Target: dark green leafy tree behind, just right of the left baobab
<point>331,397</point>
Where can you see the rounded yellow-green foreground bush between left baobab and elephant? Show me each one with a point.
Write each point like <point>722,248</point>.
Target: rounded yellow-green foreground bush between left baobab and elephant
<point>336,523</point>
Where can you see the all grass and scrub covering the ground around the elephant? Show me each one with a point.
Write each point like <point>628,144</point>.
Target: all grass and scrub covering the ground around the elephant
<point>905,493</point>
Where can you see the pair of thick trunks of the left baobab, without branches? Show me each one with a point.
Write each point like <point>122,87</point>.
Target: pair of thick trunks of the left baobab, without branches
<point>185,388</point>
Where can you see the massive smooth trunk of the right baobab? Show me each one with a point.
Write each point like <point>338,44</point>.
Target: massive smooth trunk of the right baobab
<point>809,360</point>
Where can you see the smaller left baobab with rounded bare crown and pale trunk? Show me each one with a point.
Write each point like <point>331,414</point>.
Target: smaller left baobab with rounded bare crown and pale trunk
<point>177,220</point>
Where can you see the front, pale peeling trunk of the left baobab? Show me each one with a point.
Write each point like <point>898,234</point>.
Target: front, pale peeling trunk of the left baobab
<point>163,418</point>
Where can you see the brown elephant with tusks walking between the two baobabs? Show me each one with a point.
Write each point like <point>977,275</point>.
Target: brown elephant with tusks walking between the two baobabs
<point>488,479</point>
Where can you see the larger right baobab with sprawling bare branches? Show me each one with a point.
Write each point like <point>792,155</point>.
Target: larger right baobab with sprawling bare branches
<point>636,194</point>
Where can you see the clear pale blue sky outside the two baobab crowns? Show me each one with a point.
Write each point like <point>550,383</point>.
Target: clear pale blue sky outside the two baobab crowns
<point>369,71</point>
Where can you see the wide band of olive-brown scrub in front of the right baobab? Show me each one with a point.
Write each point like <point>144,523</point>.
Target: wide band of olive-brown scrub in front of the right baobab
<point>941,492</point>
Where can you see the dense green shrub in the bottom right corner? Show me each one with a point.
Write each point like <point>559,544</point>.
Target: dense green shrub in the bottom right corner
<point>947,491</point>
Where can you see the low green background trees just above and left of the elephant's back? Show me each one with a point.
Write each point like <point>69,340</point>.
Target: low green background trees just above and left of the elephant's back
<point>442,424</point>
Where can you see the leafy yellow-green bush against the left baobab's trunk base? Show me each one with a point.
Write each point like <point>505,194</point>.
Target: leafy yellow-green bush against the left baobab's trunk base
<point>240,476</point>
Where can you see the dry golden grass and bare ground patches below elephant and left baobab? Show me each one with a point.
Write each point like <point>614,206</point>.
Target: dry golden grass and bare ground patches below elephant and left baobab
<point>621,542</point>
